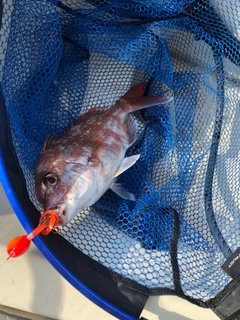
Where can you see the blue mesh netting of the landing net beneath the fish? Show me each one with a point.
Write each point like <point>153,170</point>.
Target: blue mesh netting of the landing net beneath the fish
<point>60,58</point>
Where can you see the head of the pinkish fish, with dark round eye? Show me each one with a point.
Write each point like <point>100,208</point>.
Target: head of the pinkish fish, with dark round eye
<point>63,186</point>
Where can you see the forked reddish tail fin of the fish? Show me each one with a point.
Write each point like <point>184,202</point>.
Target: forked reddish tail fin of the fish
<point>134,99</point>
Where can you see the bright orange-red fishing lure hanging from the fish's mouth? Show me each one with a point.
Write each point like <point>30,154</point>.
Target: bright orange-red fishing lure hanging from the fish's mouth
<point>19,245</point>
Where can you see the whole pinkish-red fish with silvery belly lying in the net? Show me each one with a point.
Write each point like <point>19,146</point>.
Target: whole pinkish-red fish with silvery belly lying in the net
<point>75,169</point>
